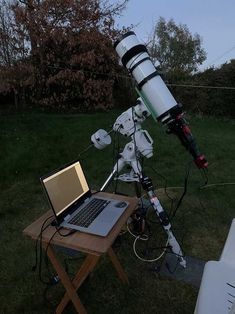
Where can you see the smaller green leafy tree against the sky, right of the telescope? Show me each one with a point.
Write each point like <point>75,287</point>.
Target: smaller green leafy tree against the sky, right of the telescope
<point>175,48</point>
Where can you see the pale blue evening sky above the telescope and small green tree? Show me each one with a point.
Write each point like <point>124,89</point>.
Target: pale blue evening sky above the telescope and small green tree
<point>213,20</point>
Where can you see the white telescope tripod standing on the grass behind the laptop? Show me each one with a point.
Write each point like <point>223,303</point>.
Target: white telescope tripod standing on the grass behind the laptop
<point>130,156</point>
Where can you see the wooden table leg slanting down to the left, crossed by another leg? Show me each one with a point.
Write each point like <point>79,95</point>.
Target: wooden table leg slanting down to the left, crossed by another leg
<point>87,266</point>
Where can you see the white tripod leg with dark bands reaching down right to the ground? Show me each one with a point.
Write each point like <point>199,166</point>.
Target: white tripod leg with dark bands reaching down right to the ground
<point>162,215</point>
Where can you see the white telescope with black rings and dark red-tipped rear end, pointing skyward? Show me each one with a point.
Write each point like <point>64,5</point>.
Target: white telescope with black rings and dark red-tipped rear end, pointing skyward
<point>155,94</point>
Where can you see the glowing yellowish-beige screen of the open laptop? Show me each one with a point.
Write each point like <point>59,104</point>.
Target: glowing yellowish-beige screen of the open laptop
<point>65,187</point>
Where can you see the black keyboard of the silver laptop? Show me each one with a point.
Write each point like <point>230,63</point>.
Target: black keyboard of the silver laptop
<point>88,213</point>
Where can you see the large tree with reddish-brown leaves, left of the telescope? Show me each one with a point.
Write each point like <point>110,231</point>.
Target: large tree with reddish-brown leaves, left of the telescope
<point>66,52</point>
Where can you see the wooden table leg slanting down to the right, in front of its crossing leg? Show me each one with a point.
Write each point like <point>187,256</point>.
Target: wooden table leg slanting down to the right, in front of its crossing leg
<point>72,295</point>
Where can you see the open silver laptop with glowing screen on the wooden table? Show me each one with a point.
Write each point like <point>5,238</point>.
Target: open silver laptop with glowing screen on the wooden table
<point>73,204</point>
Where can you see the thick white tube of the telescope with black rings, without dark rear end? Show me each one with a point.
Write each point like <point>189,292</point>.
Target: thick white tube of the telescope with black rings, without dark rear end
<point>134,56</point>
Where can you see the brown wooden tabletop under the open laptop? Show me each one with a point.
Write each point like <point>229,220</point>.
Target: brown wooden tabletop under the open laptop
<point>79,240</point>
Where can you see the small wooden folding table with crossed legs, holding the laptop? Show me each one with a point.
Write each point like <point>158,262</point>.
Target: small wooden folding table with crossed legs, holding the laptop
<point>93,246</point>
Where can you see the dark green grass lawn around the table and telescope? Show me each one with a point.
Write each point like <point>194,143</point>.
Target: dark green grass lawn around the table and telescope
<point>32,144</point>
